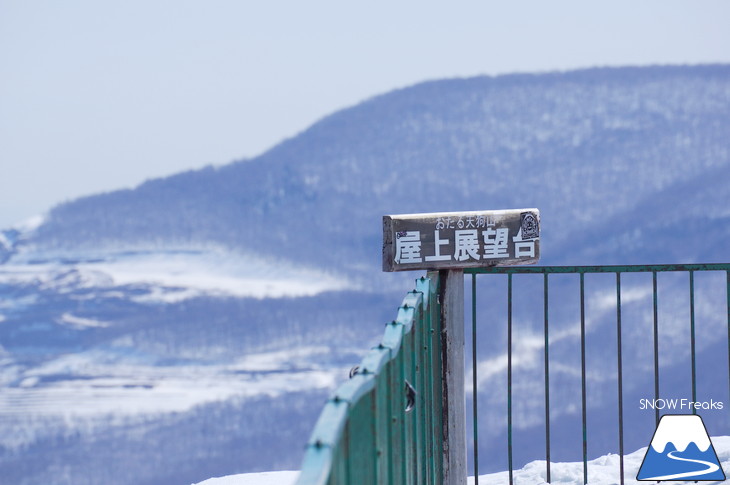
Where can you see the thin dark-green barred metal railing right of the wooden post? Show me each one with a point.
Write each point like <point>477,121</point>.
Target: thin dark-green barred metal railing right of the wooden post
<point>617,366</point>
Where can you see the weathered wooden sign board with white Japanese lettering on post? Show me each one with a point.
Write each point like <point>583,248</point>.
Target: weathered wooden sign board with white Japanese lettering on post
<point>453,240</point>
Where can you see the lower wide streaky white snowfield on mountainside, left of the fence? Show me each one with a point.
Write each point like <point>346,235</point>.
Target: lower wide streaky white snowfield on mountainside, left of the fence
<point>103,387</point>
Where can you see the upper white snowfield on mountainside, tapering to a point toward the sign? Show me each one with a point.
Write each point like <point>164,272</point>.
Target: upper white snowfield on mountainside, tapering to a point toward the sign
<point>174,275</point>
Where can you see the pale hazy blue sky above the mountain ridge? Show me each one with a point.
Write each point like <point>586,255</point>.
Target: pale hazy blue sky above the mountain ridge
<point>97,95</point>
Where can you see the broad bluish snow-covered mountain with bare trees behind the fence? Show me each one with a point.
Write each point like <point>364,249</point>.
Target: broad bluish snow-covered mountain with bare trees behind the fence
<point>192,327</point>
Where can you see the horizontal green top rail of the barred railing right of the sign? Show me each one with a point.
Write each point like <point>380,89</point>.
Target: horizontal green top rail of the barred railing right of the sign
<point>635,268</point>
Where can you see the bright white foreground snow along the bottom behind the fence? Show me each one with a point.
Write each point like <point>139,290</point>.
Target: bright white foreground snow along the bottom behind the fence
<point>601,471</point>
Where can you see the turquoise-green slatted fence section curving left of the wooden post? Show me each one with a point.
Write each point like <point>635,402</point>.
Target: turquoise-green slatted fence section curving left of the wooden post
<point>384,425</point>
